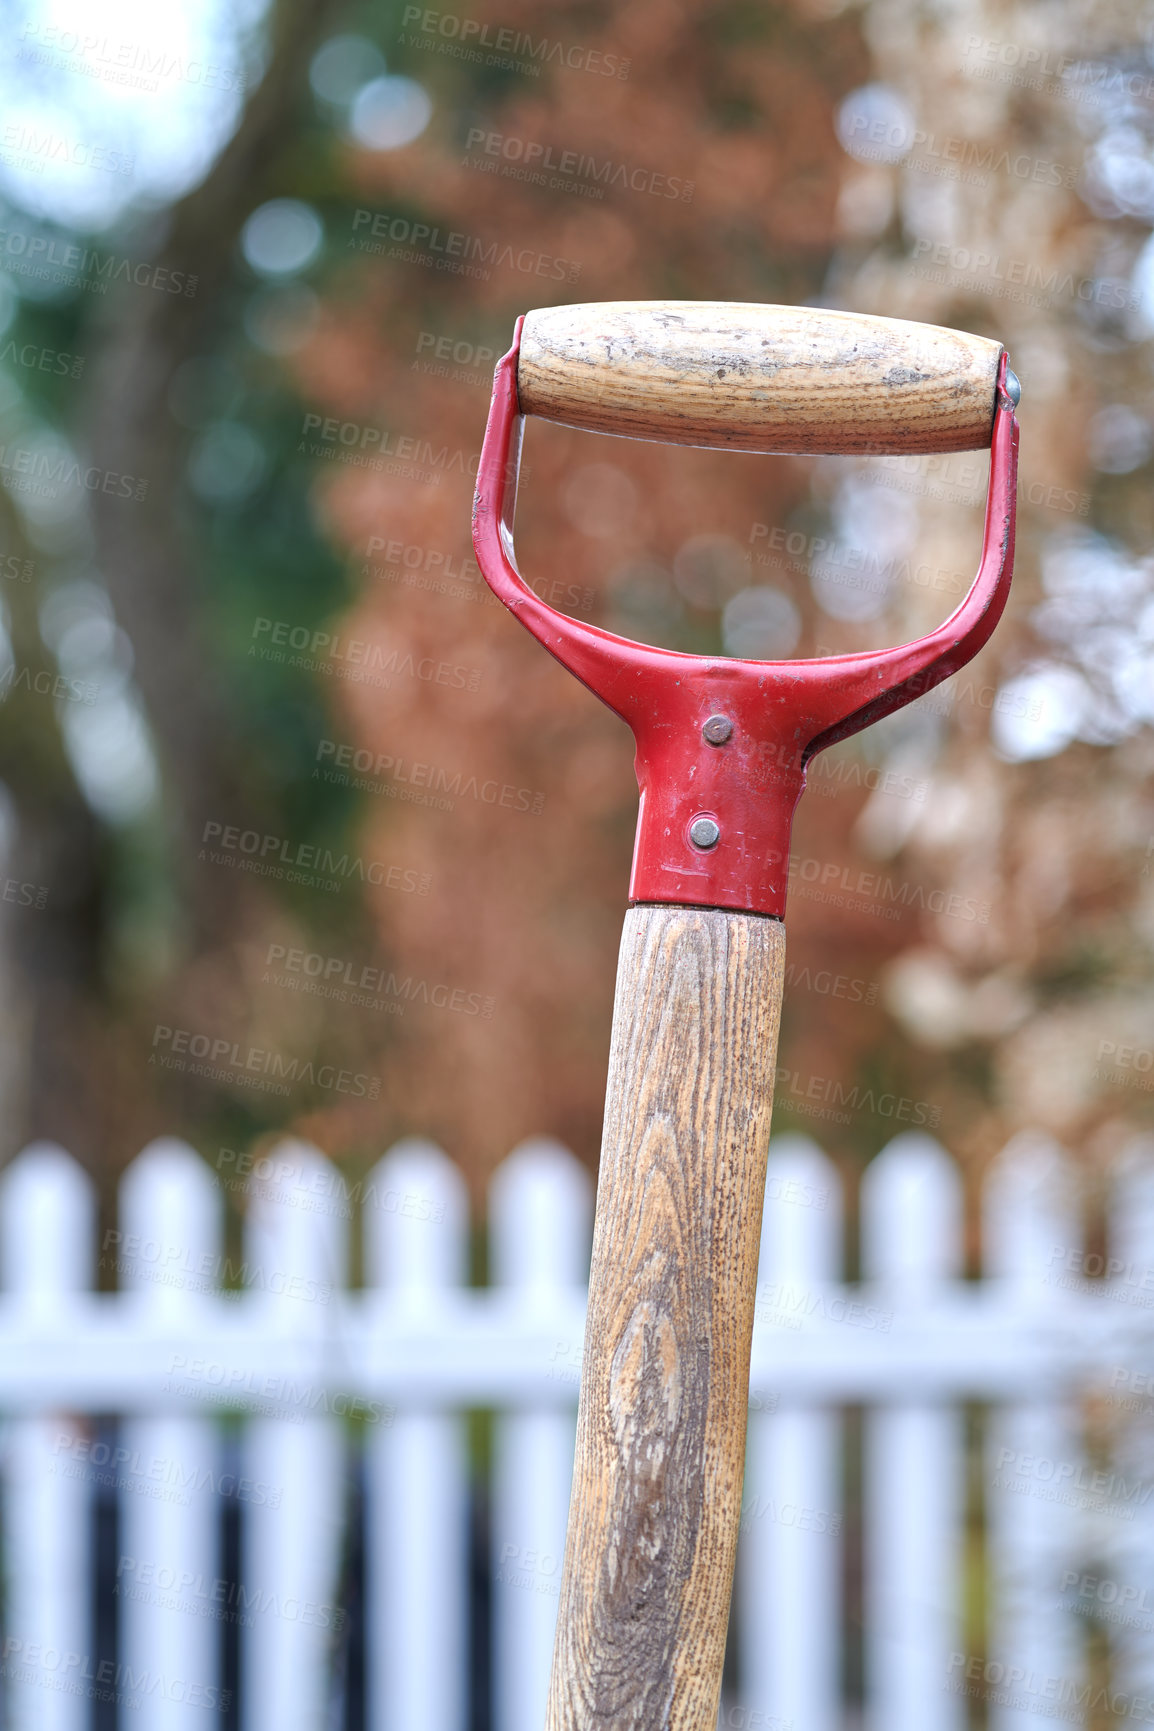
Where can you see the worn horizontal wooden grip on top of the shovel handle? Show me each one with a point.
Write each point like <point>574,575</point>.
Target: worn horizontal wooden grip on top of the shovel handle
<point>747,376</point>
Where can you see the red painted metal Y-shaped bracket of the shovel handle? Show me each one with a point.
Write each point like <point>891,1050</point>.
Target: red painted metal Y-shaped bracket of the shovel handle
<point>783,712</point>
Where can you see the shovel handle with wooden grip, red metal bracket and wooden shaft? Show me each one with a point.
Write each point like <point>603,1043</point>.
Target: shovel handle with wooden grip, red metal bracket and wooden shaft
<point>722,752</point>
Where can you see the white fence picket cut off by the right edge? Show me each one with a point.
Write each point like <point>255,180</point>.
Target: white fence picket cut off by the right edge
<point>1122,1599</point>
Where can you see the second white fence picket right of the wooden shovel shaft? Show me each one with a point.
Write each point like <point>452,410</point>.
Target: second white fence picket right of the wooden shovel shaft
<point>914,1453</point>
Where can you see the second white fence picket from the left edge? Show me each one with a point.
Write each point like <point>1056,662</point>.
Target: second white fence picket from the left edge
<point>169,1258</point>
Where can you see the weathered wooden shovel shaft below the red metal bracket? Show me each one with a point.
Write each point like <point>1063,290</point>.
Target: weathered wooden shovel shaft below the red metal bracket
<point>665,1377</point>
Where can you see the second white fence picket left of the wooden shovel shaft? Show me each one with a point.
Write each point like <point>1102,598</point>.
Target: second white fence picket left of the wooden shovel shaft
<point>416,1251</point>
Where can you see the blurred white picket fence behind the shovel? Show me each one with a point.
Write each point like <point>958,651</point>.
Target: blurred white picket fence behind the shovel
<point>1063,1361</point>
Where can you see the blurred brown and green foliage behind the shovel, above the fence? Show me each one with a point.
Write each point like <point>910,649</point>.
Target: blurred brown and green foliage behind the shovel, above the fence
<point>492,993</point>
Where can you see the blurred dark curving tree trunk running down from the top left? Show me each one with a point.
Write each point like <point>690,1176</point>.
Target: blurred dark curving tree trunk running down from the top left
<point>151,570</point>
